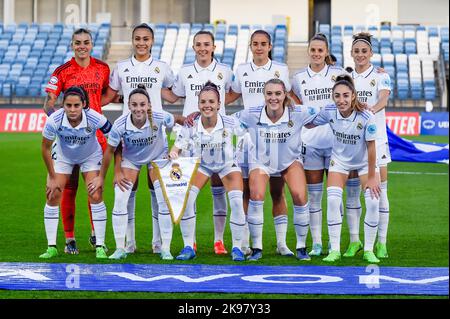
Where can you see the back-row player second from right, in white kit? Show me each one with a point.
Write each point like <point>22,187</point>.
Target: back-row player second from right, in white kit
<point>313,86</point>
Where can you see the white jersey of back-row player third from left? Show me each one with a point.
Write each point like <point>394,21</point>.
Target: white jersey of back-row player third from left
<point>192,77</point>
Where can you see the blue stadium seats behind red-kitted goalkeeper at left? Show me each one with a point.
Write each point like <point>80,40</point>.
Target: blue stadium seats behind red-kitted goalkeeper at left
<point>30,53</point>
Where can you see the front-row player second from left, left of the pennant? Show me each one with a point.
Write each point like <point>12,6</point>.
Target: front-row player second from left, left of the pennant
<point>144,139</point>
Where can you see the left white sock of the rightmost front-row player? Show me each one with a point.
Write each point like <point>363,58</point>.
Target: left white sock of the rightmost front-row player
<point>334,218</point>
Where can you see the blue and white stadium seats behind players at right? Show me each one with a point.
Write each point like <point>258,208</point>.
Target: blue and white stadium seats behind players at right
<point>409,55</point>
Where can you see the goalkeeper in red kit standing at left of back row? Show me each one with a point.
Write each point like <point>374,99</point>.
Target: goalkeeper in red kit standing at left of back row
<point>93,76</point>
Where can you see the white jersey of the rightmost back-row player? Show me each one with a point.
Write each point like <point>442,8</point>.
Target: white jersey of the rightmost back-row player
<point>368,86</point>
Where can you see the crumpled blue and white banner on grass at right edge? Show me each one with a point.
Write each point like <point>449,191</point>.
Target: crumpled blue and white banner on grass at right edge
<point>403,150</point>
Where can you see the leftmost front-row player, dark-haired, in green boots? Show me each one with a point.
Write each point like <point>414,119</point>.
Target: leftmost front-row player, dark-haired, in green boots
<point>75,125</point>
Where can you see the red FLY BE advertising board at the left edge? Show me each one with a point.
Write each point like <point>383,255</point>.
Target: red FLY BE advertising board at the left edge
<point>22,120</point>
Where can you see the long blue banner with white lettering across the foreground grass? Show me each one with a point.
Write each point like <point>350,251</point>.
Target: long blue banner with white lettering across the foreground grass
<point>370,280</point>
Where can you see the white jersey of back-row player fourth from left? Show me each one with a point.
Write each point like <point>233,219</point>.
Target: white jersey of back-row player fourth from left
<point>249,80</point>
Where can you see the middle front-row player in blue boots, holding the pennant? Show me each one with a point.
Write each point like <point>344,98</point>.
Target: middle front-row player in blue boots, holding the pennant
<point>212,138</point>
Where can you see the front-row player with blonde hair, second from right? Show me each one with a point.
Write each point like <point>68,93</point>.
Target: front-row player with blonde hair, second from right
<point>275,148</point>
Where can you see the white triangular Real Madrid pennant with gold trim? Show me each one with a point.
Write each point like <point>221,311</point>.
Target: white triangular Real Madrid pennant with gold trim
<point>176,179</point>
